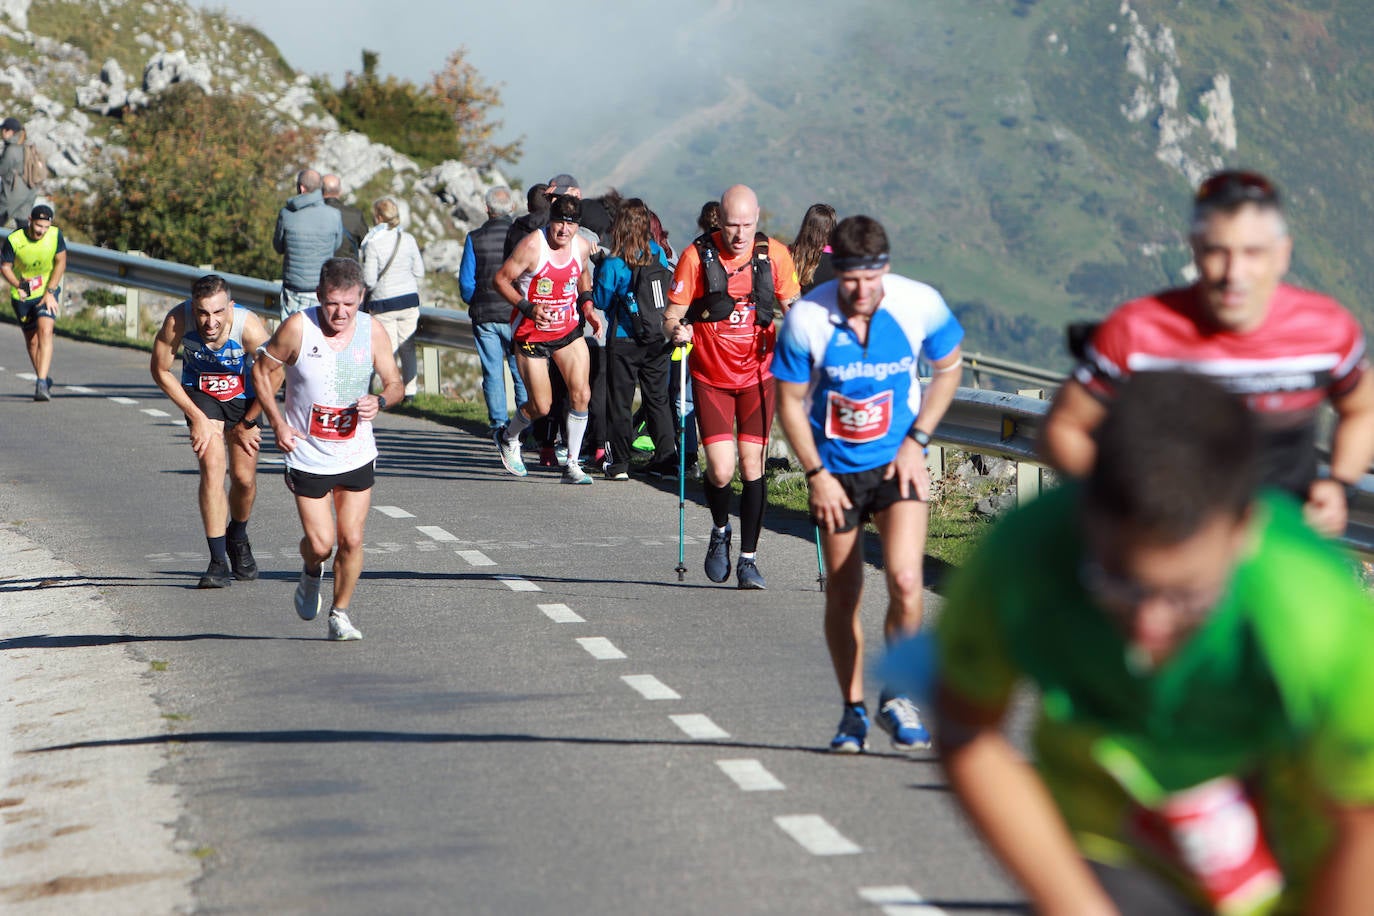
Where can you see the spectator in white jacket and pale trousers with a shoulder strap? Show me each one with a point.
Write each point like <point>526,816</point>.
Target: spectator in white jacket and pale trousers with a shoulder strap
<point>392,270</point>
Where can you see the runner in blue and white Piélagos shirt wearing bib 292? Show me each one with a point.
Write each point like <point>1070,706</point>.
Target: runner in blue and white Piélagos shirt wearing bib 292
<point>851,404</point>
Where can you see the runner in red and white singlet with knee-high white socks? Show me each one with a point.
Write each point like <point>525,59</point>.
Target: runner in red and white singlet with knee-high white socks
<point>549,281</point>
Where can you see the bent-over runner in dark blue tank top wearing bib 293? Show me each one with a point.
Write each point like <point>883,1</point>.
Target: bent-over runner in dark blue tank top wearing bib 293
<point>215,392</point>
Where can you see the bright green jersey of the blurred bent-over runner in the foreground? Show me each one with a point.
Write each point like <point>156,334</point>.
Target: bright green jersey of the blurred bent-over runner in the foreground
<point>1276,689</point>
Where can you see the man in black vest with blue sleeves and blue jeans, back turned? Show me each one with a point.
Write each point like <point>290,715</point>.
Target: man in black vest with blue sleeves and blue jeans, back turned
<point>483,257</point>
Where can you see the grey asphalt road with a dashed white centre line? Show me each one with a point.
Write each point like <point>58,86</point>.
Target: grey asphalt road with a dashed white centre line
<point>541,718</point>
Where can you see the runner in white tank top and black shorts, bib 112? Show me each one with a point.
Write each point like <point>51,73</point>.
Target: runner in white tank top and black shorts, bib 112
<point>329,355</point>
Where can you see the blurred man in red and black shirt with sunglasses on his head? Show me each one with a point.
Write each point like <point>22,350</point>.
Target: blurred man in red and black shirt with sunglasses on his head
<point>1287,351</point>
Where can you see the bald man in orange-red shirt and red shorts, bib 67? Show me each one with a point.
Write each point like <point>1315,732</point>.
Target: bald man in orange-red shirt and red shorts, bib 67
<point>728,292</point>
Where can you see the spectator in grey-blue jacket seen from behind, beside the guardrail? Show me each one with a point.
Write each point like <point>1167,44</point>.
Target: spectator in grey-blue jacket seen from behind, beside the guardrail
<point>307,236</point>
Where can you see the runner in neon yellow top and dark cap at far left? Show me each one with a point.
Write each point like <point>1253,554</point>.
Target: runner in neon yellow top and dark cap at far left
<point>34,262</point>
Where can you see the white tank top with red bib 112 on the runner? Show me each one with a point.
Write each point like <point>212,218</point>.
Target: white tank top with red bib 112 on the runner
<point>322,392</point>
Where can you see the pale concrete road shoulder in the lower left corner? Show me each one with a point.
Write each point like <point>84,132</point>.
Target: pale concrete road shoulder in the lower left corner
<point>86,830</point>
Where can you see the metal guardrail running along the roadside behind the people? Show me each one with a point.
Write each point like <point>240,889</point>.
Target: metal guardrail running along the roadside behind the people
<point>980,421</point>
